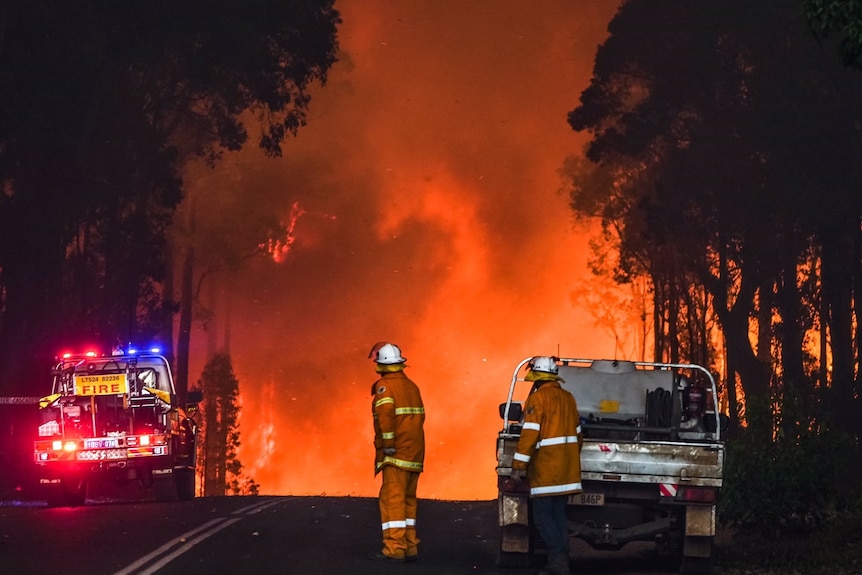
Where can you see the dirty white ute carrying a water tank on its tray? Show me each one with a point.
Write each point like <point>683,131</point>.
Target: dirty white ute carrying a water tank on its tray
<point>651,463</point>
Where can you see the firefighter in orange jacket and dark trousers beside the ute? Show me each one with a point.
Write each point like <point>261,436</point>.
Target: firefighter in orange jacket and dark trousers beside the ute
<point>549,455</point>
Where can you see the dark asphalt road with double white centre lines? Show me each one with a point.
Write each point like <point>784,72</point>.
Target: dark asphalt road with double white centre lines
<point>264,535</point>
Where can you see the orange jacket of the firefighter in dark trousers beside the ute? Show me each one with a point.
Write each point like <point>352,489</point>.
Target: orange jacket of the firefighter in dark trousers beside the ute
<point>550,444</point>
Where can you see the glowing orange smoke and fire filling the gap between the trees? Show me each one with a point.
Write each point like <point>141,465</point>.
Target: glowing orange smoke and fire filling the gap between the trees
<point>423,197</point>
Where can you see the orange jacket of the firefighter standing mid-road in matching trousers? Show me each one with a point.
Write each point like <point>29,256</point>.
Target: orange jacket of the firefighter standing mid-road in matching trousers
<point>399,419</point>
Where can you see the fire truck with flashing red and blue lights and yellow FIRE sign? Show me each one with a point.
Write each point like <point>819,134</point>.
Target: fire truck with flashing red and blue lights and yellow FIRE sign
<point>115,417</point>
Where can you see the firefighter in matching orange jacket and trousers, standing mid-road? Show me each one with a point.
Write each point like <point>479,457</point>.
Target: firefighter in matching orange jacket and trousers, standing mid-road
<point>399,442</point>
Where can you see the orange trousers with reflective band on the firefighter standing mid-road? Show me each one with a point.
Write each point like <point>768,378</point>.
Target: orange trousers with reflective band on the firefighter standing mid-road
<point>398,512</point>
